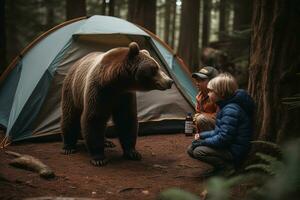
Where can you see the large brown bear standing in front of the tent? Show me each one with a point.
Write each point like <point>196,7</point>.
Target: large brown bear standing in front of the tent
<point>101,85</point>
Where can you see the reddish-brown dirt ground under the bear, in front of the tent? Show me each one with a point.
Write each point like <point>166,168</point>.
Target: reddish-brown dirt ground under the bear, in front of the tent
<point>165,164</point>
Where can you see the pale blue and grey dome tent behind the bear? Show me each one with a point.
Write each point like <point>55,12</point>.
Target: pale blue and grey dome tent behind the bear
<point>30,88</point>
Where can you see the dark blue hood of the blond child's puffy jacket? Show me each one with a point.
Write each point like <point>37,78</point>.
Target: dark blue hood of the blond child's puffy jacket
<point>243,99</point>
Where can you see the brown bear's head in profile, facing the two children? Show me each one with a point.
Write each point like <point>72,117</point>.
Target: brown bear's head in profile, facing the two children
<point>148,73</point>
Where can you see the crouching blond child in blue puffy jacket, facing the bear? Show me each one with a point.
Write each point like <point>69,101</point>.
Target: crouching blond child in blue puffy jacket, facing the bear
<point>229,143</point>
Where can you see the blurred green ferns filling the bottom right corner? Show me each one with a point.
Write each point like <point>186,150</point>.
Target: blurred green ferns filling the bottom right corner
<point>282,180</point>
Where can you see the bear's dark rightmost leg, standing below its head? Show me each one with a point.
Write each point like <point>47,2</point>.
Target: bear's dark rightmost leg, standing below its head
<point>125,119</point>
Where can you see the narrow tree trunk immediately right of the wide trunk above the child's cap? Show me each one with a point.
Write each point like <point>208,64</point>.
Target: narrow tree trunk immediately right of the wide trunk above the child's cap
<point>206,22</point>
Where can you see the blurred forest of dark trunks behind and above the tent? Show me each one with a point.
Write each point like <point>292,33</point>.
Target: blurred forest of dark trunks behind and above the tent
<point>201,32</point>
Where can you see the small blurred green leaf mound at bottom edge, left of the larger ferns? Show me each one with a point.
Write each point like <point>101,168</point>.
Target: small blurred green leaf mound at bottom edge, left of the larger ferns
<point>176,194</point>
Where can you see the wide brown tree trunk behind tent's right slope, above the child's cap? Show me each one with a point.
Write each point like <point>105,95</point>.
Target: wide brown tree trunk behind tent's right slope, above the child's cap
<point>189,33</point>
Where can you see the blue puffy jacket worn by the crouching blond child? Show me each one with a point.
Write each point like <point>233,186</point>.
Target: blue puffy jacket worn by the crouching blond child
<point>234,126</point>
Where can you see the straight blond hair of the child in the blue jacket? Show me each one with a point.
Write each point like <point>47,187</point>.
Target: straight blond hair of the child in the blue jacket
<point>224,85</point>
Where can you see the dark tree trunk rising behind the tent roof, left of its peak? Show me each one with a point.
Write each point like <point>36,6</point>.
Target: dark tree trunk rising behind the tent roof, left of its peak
<point>75,9</point>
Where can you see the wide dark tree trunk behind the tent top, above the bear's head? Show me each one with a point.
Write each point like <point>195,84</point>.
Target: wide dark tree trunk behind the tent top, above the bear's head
<point>143,13</point>
